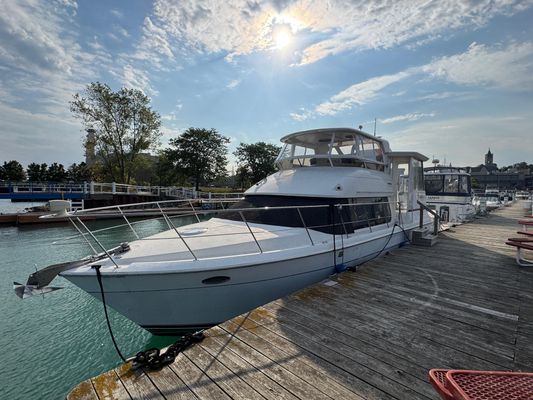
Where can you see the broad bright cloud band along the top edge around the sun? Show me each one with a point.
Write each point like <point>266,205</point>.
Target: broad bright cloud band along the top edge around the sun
<point>240,27</point>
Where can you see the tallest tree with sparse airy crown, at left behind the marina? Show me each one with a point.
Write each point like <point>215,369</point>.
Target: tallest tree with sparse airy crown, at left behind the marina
<point>122,126</point>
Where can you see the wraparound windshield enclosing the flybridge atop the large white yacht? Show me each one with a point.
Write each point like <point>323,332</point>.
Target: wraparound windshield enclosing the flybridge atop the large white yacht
<point>330,148</point>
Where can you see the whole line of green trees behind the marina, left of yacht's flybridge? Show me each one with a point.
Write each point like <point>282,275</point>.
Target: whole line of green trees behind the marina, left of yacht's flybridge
<point>124,132</point>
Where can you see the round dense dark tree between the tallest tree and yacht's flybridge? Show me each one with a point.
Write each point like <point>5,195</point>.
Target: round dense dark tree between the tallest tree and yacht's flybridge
<point>199,154</point>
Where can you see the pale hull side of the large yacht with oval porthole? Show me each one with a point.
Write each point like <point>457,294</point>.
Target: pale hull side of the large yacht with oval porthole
<point>174,303</point>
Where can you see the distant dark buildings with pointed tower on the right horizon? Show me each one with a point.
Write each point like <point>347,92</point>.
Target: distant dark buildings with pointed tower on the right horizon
<point>487,175</point>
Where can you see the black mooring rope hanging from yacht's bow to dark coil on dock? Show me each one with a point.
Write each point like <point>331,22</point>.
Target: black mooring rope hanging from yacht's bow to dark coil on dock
<point>151,358</point>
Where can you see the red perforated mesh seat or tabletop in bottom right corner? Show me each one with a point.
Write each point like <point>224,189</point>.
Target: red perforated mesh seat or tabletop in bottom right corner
<point>489,385</point>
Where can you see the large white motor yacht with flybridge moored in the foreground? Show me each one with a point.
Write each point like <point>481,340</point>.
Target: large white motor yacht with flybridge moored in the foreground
<point>340,197</point>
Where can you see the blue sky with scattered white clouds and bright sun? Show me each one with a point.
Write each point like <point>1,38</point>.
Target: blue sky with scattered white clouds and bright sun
<point>449,79</point>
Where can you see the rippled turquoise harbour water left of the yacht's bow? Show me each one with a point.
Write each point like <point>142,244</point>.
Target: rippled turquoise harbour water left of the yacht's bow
<point>51,344</point>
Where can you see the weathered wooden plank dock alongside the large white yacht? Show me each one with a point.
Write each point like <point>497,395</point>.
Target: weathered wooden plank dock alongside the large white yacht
<point>370,334</point>
